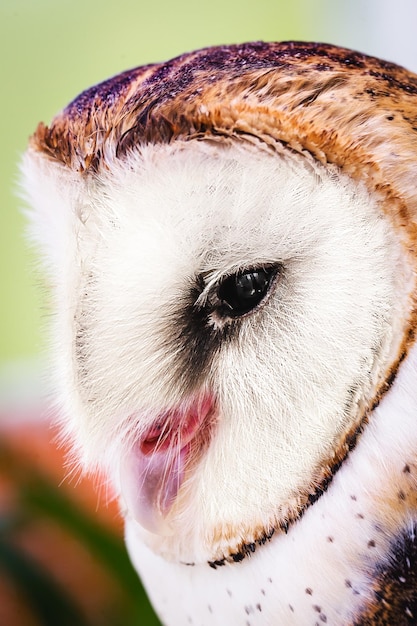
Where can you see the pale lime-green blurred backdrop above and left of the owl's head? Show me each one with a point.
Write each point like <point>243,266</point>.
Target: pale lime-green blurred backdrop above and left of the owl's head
<point>53,49</point>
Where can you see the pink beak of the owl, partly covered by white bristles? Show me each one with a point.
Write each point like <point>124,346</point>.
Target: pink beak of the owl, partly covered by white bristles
<point>152,474</point>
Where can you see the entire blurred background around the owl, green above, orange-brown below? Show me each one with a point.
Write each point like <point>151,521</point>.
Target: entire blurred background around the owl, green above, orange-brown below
<point>62,559</point>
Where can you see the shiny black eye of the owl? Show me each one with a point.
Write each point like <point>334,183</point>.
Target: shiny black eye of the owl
<point>241,292</point>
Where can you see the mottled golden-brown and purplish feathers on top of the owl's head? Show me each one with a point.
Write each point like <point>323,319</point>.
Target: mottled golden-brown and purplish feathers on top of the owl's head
<point>340,106</point>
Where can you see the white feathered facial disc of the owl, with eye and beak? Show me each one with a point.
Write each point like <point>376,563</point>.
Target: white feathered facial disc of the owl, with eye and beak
<point>233,317</point>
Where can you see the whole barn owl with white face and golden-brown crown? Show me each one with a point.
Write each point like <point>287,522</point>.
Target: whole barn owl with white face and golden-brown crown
<point>231,245</point>
